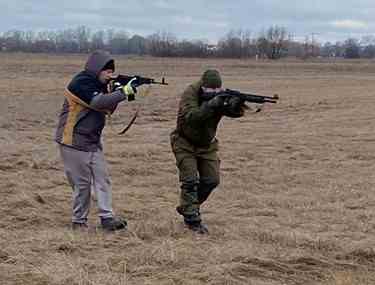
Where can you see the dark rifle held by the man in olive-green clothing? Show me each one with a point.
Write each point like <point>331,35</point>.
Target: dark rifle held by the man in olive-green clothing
<point>251,98</point>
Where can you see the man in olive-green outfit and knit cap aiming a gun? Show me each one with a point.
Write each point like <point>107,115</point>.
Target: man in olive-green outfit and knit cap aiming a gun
<point>195,146</point>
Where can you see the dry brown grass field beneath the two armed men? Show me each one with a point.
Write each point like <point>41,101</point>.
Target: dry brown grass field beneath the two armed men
<point>297,199</point>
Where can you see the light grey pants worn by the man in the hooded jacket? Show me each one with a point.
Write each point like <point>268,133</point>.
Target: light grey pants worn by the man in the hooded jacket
<point>87,171</point>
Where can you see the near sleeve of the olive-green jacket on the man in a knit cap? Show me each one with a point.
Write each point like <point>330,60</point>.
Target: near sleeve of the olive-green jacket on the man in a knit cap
<point>194,112</point>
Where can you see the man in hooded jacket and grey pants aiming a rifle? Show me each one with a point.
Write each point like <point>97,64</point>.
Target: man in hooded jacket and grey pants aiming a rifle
<point>88,99</point>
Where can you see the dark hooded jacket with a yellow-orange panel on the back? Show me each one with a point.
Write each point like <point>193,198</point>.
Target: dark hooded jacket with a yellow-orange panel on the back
<point>81,127</point>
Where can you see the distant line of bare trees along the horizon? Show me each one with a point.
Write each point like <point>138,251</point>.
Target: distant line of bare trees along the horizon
<point>272,43</point>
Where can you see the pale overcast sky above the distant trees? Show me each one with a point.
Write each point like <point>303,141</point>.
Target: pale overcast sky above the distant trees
<point>196,19</point>
